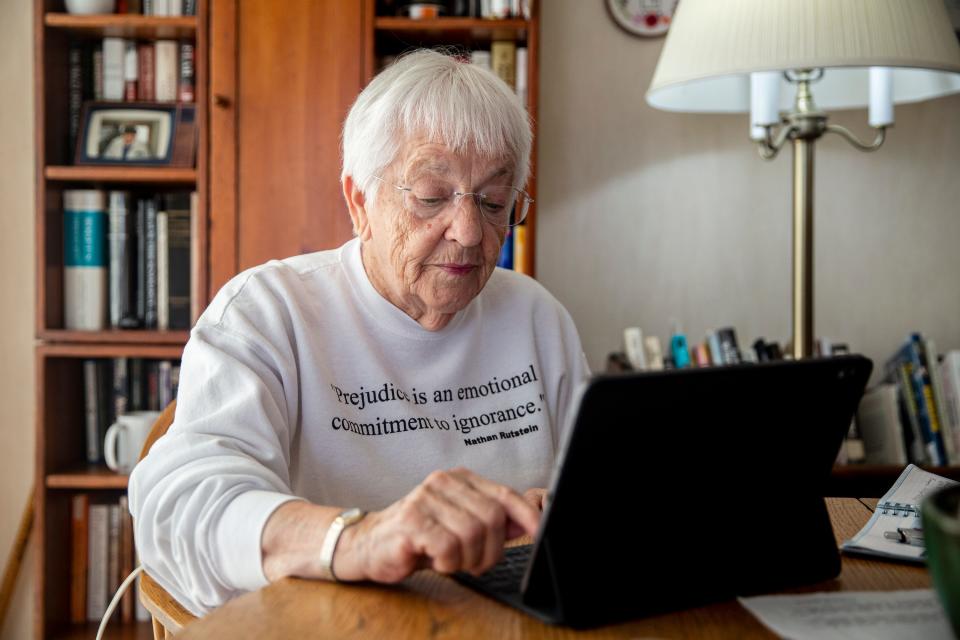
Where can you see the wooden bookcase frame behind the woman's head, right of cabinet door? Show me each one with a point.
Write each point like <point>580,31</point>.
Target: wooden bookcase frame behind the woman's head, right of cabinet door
<point>390,35</point>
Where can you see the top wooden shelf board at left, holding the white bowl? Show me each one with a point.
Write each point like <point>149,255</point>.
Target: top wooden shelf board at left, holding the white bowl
<point>124,26</point>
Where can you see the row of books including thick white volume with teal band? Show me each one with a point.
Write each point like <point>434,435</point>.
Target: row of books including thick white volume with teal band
<point>128,259</point>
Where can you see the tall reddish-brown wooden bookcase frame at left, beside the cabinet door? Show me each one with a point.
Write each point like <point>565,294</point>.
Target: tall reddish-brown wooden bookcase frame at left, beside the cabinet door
<point>62,471</point>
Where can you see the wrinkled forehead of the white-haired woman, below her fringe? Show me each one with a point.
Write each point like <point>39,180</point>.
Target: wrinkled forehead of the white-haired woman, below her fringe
<point>420,156</point>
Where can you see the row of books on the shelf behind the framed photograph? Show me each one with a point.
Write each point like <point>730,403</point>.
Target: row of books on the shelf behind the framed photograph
<point>123,70</point>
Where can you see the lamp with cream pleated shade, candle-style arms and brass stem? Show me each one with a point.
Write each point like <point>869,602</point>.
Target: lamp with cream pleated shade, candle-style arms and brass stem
<point>771,58</point>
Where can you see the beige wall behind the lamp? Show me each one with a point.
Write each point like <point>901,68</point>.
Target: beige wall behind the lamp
<point>648,218</point>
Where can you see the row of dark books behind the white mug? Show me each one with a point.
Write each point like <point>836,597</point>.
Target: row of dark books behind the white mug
<point>114,386</point>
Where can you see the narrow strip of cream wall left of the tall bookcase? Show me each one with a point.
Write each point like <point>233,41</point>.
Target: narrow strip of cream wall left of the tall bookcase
<point>16,297</point>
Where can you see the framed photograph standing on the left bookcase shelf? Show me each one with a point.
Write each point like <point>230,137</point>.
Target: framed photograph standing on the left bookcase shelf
<point>139,134</point>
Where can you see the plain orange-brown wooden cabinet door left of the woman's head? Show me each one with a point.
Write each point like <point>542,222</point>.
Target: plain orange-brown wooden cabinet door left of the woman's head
<point>299,68</point>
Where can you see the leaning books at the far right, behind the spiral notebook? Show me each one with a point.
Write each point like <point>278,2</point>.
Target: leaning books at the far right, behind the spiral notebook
<point>913,415</point>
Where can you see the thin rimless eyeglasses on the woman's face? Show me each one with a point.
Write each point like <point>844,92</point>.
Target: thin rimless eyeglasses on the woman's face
<point>500,205</point>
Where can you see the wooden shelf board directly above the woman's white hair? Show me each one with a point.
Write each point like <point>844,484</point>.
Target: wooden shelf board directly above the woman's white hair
<point>454,29</point>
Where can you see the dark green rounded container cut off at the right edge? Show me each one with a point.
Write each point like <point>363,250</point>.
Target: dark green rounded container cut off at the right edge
<point>940,513</point>
